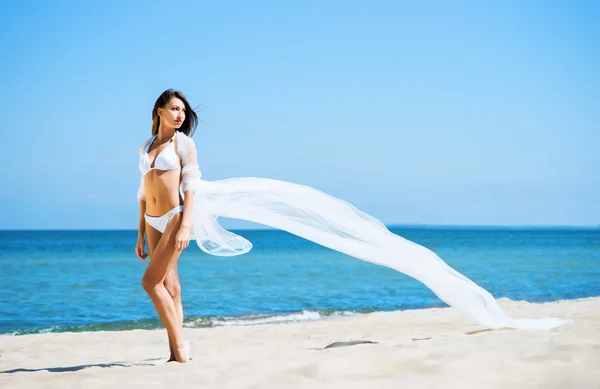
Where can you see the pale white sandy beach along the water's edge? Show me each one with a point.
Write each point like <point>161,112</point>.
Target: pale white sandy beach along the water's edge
<point>432,348</point>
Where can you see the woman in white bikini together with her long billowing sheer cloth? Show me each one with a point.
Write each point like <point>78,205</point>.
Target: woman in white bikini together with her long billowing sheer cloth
<point>298,209</point>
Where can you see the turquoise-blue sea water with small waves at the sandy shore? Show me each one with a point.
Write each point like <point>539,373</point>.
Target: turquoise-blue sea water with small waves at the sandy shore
<point>90,280</point>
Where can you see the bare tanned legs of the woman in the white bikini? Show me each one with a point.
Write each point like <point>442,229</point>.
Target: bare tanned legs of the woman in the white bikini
<point>163,257</point>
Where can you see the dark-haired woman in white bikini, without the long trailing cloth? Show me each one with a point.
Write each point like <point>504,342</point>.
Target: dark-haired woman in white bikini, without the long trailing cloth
<point>165,213</point>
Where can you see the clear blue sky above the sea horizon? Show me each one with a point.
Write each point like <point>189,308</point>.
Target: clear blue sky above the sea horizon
<point>459,113</point>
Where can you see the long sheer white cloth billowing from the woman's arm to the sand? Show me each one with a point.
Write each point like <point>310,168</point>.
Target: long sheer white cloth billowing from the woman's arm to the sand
<point>333,223</point>
